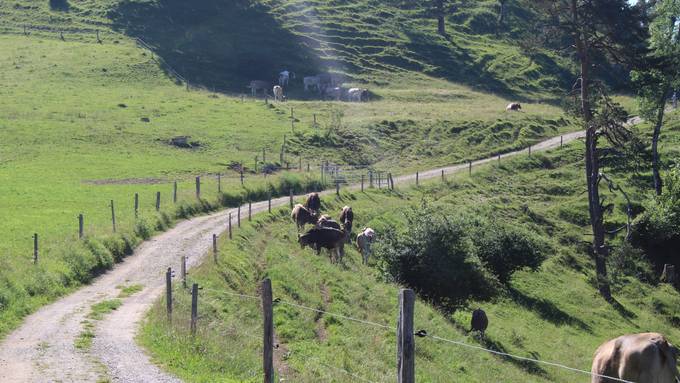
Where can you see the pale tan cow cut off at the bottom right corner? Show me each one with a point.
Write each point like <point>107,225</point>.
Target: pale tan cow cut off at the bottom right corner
<point>639,358</point>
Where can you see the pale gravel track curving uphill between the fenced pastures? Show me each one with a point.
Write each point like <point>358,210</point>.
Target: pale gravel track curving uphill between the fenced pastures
<point>43,348</point>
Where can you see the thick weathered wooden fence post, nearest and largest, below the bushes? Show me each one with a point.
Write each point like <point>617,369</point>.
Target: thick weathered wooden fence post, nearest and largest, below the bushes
<point>406,338</point>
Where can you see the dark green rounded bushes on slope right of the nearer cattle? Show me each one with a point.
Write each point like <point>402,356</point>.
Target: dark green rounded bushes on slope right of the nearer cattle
<point>450,258</point>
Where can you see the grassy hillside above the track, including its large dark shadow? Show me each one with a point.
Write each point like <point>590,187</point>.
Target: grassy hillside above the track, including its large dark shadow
<point>84,123</point>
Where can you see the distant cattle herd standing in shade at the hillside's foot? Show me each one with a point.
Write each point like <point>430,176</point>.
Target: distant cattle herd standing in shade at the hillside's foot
<point>326,85</point>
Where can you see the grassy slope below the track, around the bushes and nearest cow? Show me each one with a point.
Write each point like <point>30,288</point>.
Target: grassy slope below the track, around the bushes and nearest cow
<point>554,314</point>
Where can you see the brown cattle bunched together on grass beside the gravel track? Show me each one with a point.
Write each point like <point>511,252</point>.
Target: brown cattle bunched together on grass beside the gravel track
<point>328,233</point>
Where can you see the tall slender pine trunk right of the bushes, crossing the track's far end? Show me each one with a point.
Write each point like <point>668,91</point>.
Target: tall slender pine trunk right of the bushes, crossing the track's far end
<point>592,163</point>
